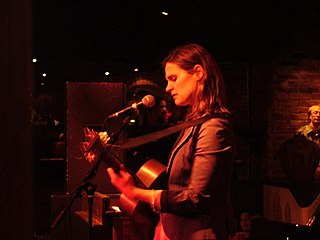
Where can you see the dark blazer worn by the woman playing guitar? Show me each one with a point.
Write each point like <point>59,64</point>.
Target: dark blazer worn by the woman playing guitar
<point>197,203</point>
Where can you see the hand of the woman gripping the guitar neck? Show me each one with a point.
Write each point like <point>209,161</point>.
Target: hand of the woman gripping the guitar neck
<point>122,180</point>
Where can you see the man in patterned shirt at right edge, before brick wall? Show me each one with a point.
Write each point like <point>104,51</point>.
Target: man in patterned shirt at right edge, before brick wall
<point>311,131</point>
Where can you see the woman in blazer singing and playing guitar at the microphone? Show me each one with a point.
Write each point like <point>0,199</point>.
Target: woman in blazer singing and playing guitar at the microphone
<point>196,203</point>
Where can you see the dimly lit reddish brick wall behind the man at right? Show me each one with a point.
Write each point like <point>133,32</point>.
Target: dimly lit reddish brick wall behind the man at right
<point>280,97</point>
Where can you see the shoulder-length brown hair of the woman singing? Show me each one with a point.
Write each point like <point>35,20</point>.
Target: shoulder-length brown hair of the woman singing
<point>209,96</point>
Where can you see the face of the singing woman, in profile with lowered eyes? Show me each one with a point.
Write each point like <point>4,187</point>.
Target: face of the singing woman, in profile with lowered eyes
<point>180,84</point>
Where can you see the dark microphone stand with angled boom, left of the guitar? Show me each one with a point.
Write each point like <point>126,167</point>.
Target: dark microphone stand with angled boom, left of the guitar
<point>87,186</point>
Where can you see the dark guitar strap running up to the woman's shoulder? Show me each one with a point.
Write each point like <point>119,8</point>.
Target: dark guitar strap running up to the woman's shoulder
<point>151,137</point>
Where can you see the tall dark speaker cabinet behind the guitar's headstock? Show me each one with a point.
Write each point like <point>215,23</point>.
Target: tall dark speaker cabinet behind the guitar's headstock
<point>88,105</point>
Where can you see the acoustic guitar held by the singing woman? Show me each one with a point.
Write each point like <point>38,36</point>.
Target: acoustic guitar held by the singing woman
<point>151,175</point>
